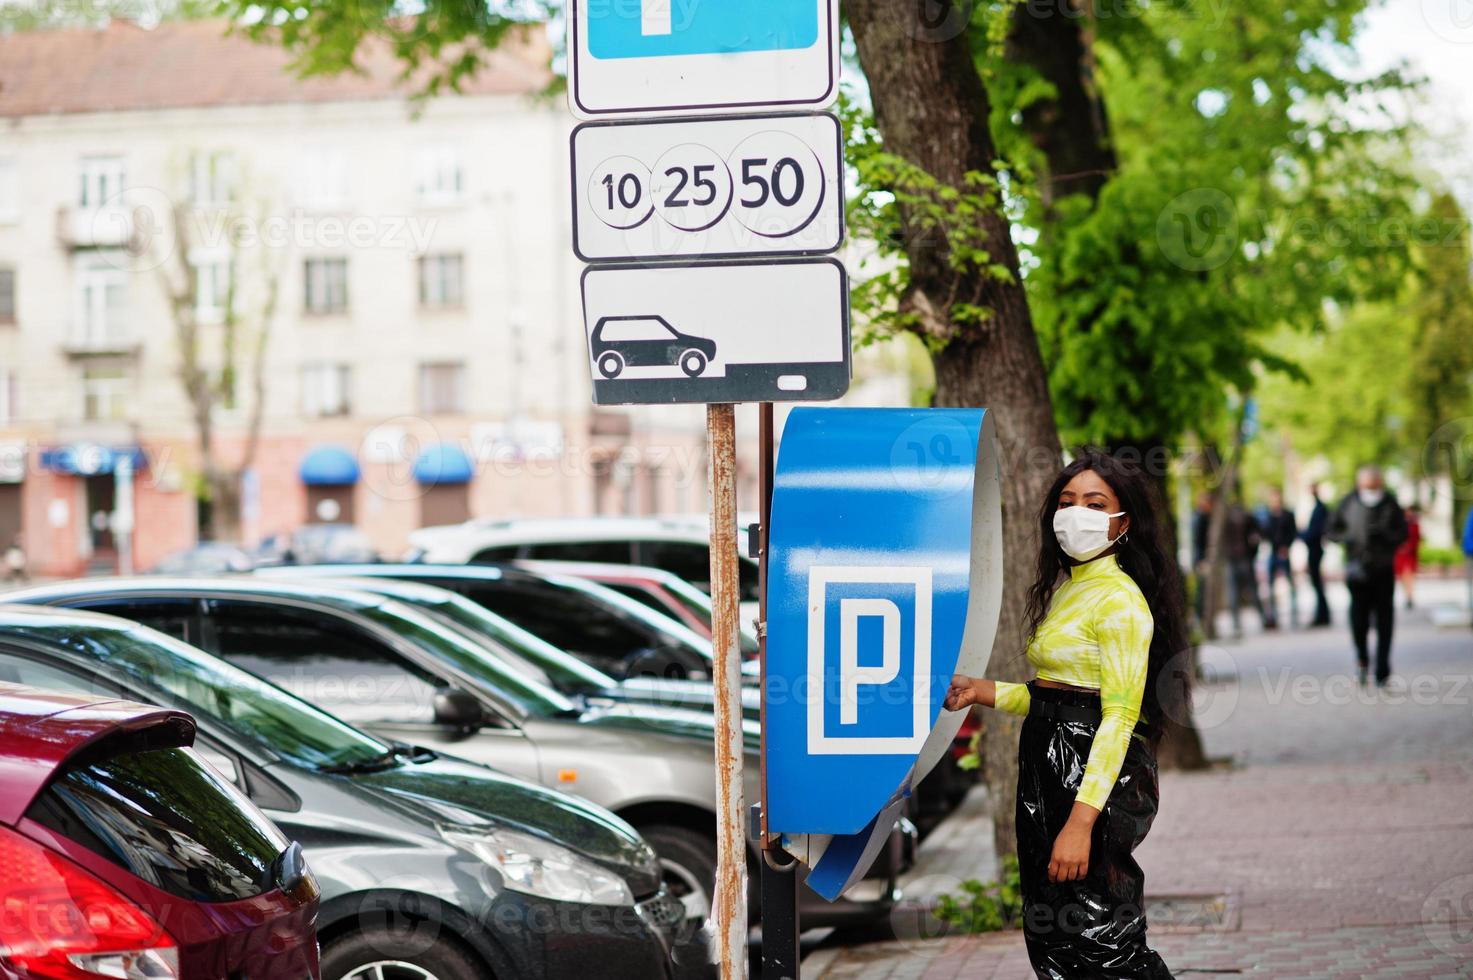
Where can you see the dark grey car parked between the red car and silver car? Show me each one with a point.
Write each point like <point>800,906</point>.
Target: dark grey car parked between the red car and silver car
<point>431,867</point>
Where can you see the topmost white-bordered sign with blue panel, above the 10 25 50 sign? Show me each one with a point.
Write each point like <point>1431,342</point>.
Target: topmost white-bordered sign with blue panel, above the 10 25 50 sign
<point>641,58</point>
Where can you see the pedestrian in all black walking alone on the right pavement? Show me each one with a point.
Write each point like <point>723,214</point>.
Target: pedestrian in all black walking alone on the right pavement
<point>1372,525</point>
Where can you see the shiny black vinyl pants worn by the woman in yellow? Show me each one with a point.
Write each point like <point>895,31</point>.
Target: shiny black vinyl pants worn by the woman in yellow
<point>1094,929</point>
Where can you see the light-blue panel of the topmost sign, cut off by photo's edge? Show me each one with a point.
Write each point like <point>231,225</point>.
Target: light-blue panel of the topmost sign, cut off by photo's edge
<point>655,29</point>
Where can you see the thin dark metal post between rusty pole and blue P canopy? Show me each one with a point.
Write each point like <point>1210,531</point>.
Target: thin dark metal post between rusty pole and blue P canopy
<point>781,959</point>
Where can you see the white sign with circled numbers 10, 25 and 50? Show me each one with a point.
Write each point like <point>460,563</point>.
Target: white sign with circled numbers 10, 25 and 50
<point>709,188</point>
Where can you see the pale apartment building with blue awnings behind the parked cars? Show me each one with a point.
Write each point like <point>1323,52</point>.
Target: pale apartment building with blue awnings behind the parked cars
<point>393,278</point>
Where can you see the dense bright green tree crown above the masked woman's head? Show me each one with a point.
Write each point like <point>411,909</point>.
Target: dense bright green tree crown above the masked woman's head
<point>1256,186</point>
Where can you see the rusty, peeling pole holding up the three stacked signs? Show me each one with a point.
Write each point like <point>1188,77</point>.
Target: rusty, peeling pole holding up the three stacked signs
<point>730,903</point>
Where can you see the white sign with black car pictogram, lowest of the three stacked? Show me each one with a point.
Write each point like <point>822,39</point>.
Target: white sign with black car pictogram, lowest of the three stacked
<point>718,332</point>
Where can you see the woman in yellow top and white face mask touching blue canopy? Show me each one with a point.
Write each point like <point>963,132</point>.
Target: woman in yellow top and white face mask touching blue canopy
<point>1105,615</point>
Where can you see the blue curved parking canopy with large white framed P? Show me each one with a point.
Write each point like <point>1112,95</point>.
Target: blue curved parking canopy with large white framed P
<point>885,580</point>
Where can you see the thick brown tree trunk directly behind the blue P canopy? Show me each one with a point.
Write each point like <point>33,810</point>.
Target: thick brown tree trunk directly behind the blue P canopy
<point>932,110</point>
